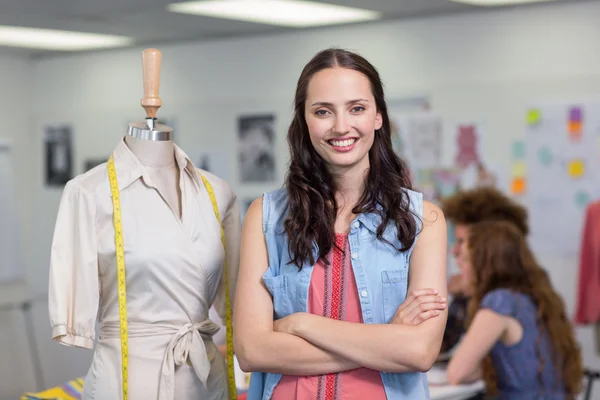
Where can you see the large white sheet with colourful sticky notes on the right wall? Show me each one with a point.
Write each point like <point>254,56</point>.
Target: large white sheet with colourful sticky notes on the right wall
<point>563,171</point>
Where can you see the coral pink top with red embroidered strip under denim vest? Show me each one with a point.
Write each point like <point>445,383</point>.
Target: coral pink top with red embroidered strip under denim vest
<point>333,293</point>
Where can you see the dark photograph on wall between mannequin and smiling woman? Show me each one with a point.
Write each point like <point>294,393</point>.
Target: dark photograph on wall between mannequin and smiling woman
<point>256,151</point>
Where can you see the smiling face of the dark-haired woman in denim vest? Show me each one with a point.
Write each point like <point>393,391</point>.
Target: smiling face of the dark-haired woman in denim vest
<point>342,117</point>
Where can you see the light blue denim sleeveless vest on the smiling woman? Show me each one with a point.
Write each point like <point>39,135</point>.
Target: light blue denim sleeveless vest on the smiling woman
<point>381,274</point>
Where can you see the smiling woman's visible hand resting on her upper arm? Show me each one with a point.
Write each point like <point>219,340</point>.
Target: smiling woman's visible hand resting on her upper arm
<point>419,306</point>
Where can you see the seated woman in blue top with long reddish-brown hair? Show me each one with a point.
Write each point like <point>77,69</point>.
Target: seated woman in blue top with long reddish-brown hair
<point>518,336</point>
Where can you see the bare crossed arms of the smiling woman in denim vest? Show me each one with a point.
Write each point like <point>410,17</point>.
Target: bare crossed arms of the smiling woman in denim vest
<point>307,344</point>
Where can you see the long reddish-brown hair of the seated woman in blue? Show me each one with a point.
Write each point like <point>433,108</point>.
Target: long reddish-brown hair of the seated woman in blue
<point>501,258</point>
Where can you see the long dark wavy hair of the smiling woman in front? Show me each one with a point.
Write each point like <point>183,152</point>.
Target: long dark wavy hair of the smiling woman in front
<point>312,207</point>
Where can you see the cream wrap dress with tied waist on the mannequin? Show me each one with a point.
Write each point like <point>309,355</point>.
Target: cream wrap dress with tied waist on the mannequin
<point>174,274</point>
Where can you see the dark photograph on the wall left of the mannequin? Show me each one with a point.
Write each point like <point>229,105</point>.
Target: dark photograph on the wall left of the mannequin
<point>59,154</point>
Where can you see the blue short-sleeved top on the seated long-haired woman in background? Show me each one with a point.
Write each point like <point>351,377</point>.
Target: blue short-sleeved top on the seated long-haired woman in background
<point>517,365</point>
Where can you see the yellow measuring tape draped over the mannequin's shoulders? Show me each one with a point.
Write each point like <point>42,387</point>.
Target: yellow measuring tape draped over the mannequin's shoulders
<point>120,254</point>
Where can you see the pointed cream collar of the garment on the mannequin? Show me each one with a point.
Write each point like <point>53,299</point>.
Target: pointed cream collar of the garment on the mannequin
<point>129,168</point>
